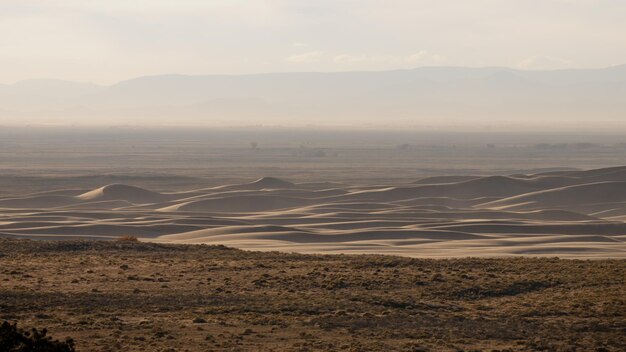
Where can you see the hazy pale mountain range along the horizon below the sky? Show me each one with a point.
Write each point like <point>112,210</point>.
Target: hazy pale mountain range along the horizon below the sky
<point>428,95</point>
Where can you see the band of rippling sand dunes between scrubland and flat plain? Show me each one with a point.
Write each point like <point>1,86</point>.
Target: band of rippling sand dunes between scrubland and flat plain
<point>565,213</point>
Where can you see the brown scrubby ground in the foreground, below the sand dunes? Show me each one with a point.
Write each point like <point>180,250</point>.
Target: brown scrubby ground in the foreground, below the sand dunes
<point>119,296</point>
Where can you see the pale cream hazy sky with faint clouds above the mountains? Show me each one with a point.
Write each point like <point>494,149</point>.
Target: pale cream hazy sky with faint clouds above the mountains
<point>105,41</point>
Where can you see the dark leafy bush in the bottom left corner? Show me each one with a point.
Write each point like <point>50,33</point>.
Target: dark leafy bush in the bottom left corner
<point>13,339</point>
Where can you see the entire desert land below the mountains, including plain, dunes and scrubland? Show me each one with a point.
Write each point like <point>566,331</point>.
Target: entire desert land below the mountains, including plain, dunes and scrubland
<point>438,242</point>
